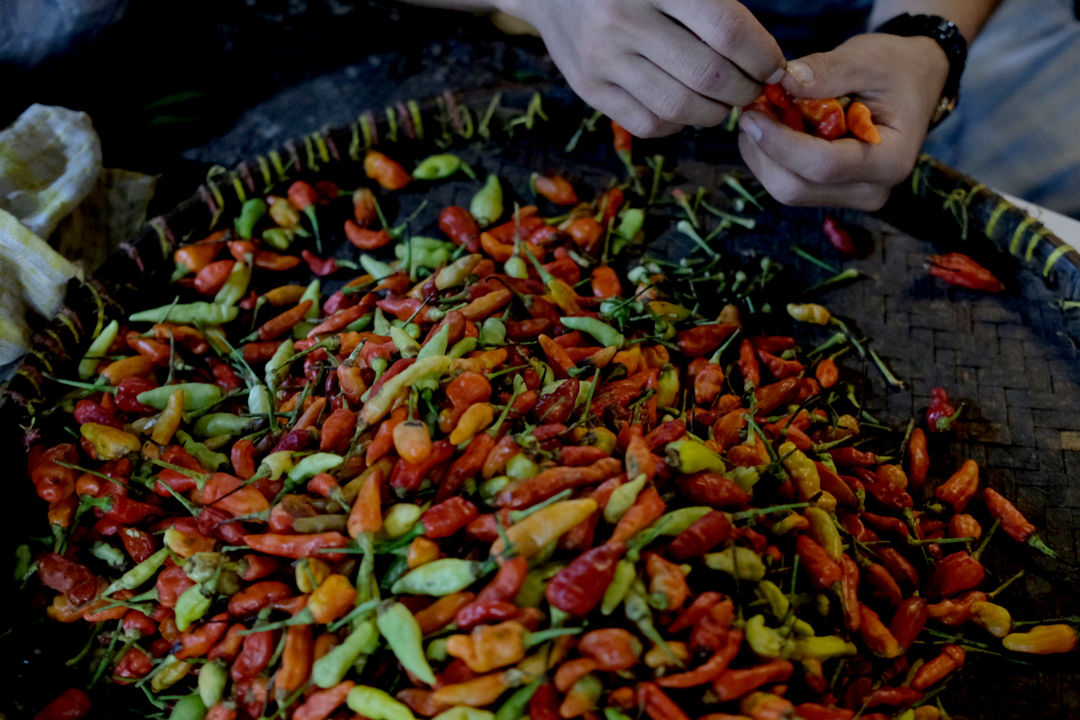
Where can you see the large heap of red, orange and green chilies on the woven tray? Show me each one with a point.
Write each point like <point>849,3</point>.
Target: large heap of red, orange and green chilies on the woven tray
<point>493,478</point>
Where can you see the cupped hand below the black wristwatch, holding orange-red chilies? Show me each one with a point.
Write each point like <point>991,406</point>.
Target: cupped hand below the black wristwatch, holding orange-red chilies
<point>900,79</point>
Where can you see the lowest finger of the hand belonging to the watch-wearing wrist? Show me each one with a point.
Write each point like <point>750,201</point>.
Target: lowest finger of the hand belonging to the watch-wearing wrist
<point>791,189</point>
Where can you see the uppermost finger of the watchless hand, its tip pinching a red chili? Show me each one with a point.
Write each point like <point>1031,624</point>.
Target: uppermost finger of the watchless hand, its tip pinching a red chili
<point>732,31</point>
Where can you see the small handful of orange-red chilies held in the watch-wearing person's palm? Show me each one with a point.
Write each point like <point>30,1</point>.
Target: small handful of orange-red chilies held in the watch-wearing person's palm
<point>826,118</point>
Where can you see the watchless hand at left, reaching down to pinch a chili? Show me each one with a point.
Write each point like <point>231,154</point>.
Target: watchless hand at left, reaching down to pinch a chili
<point>655,66</point>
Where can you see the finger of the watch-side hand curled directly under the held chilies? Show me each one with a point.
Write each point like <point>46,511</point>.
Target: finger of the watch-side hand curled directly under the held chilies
<point>844,160</point>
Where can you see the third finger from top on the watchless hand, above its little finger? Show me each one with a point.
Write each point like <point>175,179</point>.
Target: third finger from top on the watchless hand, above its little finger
<point>666,97</point>
